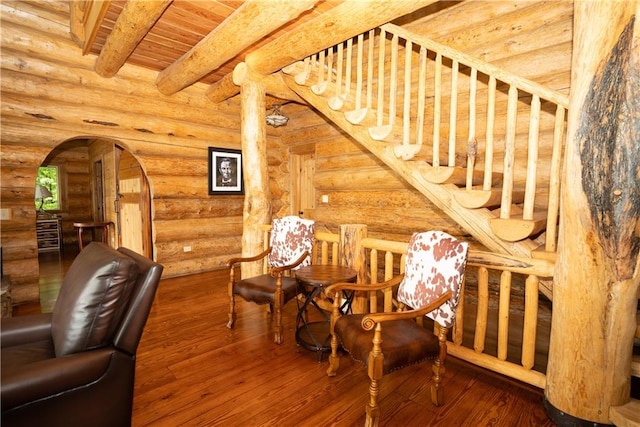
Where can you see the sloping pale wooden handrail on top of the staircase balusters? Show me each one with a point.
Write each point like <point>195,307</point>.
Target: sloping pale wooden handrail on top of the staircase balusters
<point>486,68</point>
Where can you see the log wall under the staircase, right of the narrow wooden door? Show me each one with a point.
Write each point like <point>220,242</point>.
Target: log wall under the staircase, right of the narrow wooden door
<point>360,189</point>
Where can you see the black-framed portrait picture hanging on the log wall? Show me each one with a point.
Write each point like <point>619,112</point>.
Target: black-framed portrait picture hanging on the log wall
<point>225,171</point>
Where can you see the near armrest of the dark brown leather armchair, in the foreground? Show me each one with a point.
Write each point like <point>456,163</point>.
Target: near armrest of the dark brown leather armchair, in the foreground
<point>53,376</point>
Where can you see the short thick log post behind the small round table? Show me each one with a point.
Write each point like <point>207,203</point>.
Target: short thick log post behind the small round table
<point>352,255</point>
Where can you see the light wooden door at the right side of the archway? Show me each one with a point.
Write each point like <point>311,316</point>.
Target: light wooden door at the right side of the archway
<point>133,202</point>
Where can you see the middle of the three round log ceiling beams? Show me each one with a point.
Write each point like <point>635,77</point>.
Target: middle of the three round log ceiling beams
<point>248,24</point>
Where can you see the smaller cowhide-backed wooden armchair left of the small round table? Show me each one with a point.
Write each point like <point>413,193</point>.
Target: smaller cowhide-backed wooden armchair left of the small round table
<point>290,246</point>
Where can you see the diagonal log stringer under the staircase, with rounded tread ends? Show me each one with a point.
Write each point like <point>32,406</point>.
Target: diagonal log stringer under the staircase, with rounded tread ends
<point>474,221</point>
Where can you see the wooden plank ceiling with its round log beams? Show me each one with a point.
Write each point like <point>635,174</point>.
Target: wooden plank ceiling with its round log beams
<point>190,41</point>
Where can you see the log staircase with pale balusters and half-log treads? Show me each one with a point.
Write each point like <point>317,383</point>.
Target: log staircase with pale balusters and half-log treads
<point>429,113</point>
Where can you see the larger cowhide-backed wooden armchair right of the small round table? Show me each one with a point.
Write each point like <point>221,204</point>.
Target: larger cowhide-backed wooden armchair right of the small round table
<point>434,271</point>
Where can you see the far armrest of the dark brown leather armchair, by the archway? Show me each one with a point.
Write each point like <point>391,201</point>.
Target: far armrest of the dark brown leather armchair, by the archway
<point>25,329</point>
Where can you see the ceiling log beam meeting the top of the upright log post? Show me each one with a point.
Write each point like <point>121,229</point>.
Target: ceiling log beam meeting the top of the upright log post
<point>331,28</point>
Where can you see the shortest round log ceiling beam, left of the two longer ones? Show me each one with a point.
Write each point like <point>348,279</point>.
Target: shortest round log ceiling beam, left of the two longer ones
<point>133,24</point>
